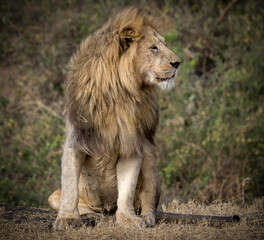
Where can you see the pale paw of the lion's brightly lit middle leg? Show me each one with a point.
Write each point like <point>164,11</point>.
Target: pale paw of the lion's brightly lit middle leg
<point>129,220</point>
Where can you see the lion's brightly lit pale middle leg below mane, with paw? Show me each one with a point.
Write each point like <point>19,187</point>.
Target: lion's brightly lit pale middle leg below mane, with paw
<point>127,177</point>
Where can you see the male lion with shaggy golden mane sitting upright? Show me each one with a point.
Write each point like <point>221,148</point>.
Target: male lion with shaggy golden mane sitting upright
<point>112,115</point>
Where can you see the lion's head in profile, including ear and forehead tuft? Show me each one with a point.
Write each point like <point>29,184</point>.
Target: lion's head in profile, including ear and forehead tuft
<point>150,57</point>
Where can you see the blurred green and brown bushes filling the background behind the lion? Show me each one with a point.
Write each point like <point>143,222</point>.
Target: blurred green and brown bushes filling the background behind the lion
<point>211,124</point>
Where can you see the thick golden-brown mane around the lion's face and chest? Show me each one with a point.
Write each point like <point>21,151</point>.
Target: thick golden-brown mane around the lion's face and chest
<point>107,102</point>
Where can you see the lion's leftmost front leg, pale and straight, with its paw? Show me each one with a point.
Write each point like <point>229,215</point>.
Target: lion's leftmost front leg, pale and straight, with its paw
<point>68,212</point>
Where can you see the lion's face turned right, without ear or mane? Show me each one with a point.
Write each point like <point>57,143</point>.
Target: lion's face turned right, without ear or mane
<point>156,63</point>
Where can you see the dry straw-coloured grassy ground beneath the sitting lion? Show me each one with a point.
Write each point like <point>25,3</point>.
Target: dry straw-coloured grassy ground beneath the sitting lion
<point>36,223</point>
